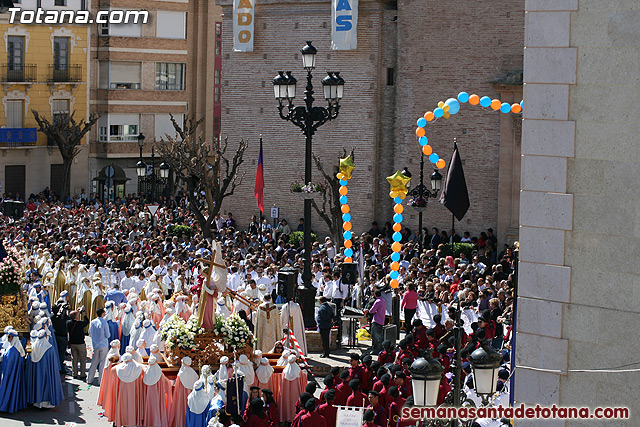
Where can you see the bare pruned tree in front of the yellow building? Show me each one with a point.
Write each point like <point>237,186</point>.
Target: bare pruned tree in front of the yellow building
<point>67,135</point>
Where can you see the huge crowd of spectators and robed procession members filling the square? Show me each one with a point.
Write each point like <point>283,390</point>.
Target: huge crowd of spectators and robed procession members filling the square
<point>108,268</point>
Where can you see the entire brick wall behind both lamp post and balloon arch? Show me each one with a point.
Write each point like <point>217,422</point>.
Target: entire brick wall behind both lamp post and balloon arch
<point>437,49</point>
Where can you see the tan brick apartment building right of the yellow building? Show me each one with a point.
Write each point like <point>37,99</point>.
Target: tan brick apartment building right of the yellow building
<point>143,73</point>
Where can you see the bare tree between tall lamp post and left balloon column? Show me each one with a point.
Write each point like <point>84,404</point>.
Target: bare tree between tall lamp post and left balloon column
<point>330,211</point>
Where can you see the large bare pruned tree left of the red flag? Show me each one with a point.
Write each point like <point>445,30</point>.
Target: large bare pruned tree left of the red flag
<point>202,170</point>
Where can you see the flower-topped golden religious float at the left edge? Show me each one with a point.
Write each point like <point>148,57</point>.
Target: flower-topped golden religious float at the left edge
<point>13,302</point>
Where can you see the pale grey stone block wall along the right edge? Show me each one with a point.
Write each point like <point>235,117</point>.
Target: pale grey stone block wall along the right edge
<point>579,226</point>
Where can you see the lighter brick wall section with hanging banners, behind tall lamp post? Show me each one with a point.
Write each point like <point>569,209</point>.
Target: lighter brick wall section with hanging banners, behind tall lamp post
<point>249,108</point>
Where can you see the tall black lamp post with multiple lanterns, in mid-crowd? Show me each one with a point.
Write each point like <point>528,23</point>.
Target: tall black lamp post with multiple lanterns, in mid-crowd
<point>308,118</point>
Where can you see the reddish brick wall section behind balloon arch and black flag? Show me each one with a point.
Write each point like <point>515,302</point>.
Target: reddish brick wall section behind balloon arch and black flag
<point>445,48</point>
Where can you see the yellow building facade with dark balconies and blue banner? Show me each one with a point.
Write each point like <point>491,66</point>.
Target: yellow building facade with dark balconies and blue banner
<point>44,68</point>
